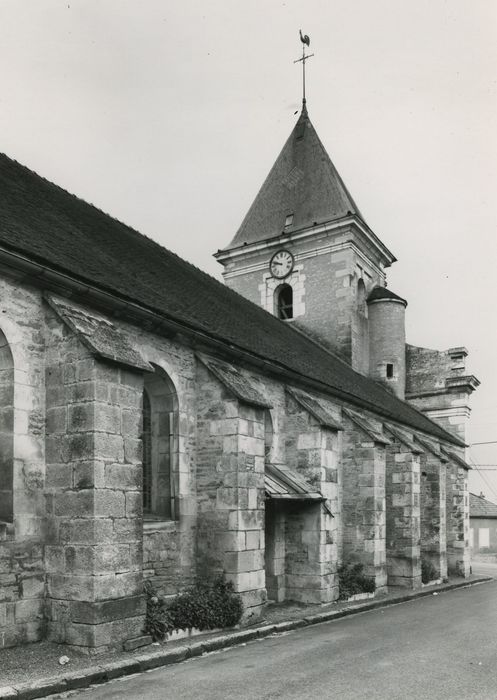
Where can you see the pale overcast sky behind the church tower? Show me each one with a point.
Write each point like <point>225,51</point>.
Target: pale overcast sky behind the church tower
<point>168,115</point>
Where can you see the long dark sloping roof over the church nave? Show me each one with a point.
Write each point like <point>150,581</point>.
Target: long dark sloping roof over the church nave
<point>47,224</point>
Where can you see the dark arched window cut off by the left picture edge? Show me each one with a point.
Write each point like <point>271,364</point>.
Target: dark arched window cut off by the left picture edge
<point>6,432</point>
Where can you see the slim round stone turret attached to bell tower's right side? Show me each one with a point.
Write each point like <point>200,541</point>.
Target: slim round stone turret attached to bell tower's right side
<point>387,339</point>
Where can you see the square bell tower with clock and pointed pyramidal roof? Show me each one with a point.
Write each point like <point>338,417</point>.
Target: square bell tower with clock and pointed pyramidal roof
<point>304,251</point>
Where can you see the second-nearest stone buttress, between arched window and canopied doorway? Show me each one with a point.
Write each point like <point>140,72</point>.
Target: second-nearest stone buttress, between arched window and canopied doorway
<point>230,481</point>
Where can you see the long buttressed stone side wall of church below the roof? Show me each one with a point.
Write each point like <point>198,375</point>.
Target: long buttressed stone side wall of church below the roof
<point>74,557</point>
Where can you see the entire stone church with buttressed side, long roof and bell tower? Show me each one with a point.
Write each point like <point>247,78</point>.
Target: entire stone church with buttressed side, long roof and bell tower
<point>156,424</point>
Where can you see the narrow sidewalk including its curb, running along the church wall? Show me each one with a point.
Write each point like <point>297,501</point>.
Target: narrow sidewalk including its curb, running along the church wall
<point>33,671</point>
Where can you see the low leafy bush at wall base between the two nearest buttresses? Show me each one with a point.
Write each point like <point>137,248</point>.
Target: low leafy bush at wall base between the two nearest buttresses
<point>209,604</point>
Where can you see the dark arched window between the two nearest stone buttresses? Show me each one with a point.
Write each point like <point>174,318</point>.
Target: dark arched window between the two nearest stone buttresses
<point>160,447</point>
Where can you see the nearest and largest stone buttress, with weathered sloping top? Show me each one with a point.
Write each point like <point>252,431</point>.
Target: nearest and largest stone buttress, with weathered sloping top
<point>93,554</point>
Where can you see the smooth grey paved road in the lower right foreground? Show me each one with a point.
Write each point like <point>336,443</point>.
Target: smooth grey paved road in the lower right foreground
<point>442,647</point>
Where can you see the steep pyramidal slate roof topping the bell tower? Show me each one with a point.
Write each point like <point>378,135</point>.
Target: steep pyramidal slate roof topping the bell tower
<point>303,182</point>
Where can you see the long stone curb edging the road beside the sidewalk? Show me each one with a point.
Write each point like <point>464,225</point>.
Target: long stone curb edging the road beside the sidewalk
<point>162,657</point>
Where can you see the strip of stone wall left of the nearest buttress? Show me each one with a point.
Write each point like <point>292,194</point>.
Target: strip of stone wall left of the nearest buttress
<point>22,530</point>
